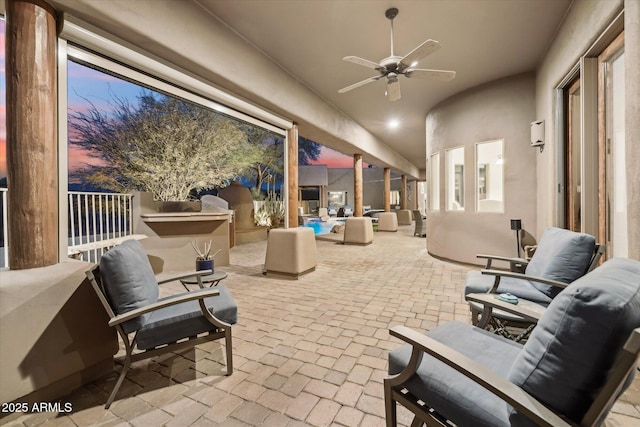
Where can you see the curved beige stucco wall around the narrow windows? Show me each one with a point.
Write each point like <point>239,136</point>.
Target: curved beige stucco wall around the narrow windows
<point>504,110</point>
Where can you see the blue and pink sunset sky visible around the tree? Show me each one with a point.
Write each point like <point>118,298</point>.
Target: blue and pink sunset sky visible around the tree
<point>90,86</point>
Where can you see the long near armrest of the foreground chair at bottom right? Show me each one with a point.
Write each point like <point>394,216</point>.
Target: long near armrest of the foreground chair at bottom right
<point>509,392</point>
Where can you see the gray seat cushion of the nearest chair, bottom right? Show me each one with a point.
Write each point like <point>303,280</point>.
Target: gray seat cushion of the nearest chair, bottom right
<point>452,394</point>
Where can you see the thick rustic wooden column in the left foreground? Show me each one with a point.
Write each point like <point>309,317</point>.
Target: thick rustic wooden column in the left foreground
<point>32,151</point>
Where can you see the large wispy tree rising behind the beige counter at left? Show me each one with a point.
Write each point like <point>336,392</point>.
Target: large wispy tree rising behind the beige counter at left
<point>162,145</point>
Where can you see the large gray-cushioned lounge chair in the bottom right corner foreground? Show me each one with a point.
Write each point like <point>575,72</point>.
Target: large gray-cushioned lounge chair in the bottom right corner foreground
<point>576,363</point>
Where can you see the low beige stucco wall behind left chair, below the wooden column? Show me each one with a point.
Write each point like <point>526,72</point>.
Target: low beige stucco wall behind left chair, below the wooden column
<point>53,332</point>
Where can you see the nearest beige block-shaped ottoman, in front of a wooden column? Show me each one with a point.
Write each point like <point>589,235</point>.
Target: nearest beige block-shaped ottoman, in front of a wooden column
<point>291,252</point>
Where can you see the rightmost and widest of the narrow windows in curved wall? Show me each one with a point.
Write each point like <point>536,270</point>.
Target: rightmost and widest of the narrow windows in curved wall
<point>489,176</point>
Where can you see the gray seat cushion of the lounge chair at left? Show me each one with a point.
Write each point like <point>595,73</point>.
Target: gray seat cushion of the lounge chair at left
<point>173,323</point>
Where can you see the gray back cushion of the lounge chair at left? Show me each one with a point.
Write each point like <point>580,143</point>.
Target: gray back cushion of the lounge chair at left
<point>129,281</point>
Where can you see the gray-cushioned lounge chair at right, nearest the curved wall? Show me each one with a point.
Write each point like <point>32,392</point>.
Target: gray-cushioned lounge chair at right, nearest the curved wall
<point>561,257</point>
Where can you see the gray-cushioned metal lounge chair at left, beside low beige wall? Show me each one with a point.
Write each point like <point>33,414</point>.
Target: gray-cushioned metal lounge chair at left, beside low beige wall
<point>128,290</point>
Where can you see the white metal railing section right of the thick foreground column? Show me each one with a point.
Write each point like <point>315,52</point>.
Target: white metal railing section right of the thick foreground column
<point>97,221</point>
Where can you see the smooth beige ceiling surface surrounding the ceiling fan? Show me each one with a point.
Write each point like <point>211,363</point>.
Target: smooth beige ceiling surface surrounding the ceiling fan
<point>482,40</point>
